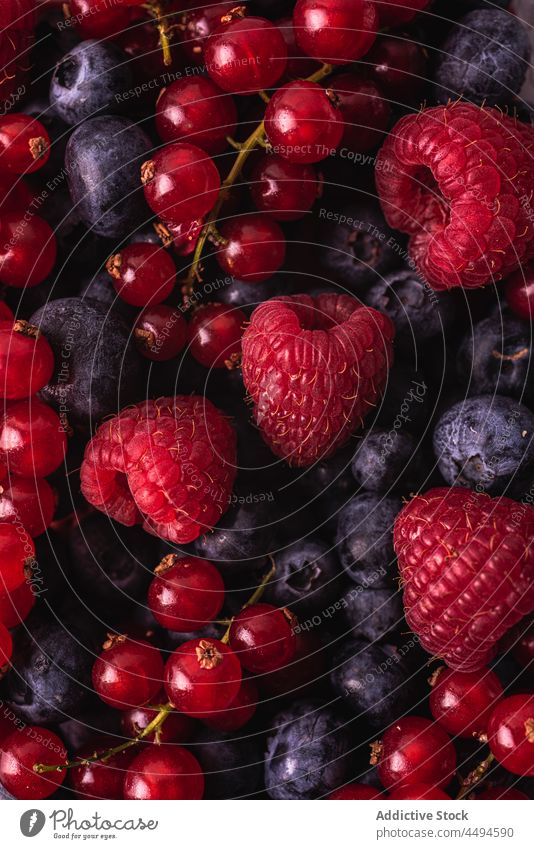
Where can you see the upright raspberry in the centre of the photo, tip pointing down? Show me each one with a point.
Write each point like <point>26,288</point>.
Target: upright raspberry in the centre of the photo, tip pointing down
<point>314,367</point>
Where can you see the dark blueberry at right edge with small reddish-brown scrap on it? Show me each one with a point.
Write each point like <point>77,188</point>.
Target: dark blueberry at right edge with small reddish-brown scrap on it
<point>496,356</point>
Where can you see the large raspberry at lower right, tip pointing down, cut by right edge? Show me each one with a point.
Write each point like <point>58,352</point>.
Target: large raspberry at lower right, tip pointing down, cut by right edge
<point>467,565</point>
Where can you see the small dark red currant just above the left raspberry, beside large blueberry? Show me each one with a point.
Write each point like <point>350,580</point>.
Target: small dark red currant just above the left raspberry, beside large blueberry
<point>160,332</point>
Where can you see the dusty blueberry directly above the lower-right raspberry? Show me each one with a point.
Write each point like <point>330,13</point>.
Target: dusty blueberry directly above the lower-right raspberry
<point>485,442</point>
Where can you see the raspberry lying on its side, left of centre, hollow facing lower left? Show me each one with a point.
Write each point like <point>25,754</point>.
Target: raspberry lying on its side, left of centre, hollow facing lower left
<point>169,464</point>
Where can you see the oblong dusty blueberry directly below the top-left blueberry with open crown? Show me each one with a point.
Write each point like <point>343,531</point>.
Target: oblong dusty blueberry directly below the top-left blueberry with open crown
<point>102,161</point>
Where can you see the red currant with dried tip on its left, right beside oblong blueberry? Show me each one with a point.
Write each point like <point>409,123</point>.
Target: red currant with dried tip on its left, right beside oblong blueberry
<point>181,182</point>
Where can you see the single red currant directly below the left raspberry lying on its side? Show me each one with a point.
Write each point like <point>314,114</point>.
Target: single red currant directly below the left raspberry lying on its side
<point>186,593</point>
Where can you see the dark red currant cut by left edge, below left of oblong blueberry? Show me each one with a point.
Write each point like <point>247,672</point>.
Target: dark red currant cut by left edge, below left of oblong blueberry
<point>27,250</point>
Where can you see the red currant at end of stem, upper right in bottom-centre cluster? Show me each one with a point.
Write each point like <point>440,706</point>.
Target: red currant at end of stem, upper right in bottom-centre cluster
<point>263,638</point>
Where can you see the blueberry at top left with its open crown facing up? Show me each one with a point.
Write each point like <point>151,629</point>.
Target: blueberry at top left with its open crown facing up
<point>87,81</point>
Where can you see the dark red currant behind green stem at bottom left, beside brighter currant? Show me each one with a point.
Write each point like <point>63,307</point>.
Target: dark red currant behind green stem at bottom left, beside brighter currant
<point>101,779</point>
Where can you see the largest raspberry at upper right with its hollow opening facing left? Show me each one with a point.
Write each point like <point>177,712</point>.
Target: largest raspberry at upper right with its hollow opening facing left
<point>458,179</point>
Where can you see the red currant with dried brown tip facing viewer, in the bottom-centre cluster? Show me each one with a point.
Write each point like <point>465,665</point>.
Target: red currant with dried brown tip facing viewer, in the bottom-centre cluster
<point>202,676</point>
